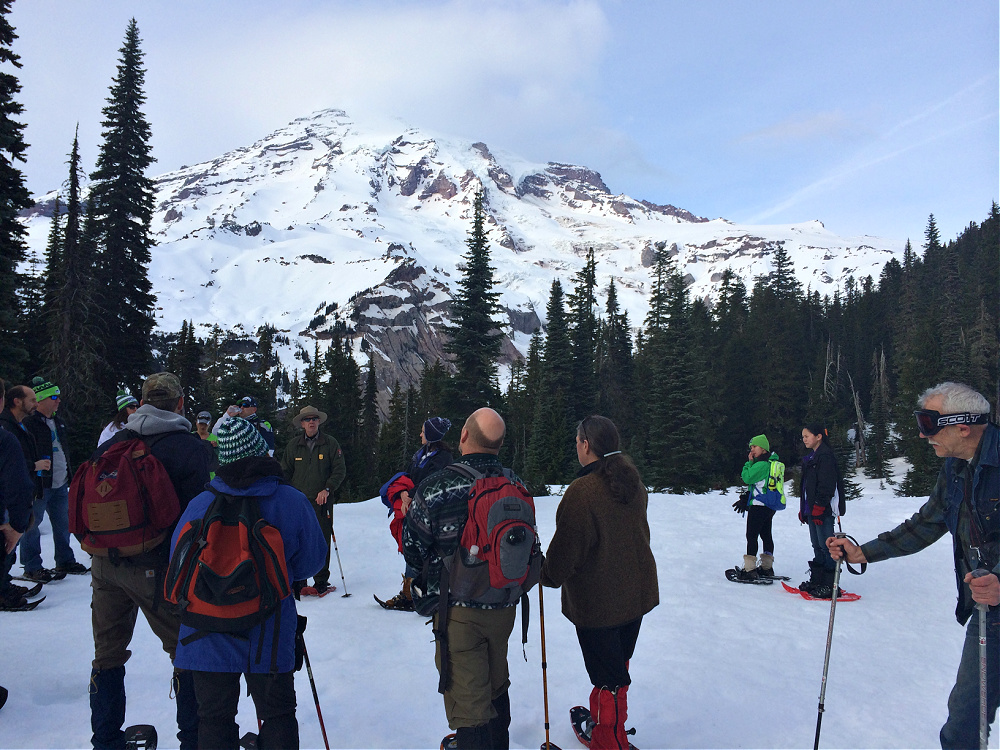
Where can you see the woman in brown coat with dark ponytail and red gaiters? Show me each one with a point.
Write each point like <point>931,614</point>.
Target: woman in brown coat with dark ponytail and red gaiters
<point>601,558</point>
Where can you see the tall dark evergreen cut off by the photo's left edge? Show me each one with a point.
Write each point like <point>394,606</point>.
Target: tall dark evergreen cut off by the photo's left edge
<point>14,196</point>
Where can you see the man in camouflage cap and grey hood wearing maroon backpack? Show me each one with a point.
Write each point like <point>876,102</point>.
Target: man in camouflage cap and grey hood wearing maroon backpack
<point>128,578</point>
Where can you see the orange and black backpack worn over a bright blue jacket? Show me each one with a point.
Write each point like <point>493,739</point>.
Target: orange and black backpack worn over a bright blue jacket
<point>228,571</point>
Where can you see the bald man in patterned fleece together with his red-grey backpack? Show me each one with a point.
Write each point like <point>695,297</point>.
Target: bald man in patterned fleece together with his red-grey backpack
<point>471,631</point>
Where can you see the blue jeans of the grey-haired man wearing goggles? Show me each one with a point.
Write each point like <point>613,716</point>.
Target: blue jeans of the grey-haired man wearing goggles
<point>962,728</point>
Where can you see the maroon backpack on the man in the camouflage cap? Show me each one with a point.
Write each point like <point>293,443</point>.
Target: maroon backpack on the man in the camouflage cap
<point>123,502</point>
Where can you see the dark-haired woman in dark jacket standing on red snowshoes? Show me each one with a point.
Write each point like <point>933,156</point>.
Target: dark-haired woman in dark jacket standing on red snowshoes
<point>819,485</point>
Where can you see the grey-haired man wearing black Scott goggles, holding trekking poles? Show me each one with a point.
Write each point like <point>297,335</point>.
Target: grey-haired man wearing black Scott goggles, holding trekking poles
<point>955,421</point>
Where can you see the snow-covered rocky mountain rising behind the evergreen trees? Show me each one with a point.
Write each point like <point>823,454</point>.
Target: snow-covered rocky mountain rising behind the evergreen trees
<point>326,219</point>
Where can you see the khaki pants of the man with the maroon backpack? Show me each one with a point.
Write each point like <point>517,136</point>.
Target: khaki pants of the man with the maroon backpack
<point>119,593</point>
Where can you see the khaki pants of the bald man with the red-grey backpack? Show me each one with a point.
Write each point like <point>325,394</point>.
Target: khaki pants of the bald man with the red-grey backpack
<point>477,650</point>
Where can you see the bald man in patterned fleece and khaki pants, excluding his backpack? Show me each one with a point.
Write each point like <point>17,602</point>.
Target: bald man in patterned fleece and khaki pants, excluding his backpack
<point>476,701</point>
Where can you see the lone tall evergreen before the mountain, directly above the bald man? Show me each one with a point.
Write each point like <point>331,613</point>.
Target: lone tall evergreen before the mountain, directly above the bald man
<point>474,337</point>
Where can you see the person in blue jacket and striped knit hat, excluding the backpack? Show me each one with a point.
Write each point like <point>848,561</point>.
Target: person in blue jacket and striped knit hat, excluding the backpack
<point>218,659</point>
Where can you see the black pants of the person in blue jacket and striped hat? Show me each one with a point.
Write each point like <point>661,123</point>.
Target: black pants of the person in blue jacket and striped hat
<point>218,699</point>
